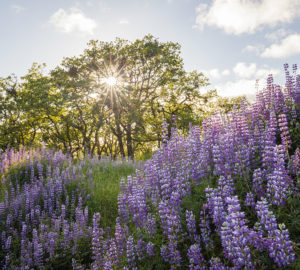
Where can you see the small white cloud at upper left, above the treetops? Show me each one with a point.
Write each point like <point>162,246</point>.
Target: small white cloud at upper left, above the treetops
<point>73,21</point>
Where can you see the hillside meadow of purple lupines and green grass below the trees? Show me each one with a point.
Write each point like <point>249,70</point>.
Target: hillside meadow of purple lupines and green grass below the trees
<point>224,197</point>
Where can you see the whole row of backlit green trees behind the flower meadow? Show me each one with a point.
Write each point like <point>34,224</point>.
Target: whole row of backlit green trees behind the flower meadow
<point>111,100</point>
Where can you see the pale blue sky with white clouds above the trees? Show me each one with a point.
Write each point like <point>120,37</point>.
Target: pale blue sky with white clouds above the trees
<point>233,42</point>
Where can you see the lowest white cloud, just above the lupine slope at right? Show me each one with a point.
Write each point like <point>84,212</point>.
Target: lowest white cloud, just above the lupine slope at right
<point>237,88</point>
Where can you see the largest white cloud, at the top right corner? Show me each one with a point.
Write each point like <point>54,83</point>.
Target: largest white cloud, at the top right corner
<point>246,16</point>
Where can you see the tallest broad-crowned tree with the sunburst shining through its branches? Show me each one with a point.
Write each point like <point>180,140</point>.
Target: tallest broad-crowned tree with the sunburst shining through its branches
<point>150,85</point>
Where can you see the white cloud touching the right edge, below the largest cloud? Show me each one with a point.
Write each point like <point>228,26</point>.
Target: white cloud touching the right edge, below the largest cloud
<point>287,47</point>
